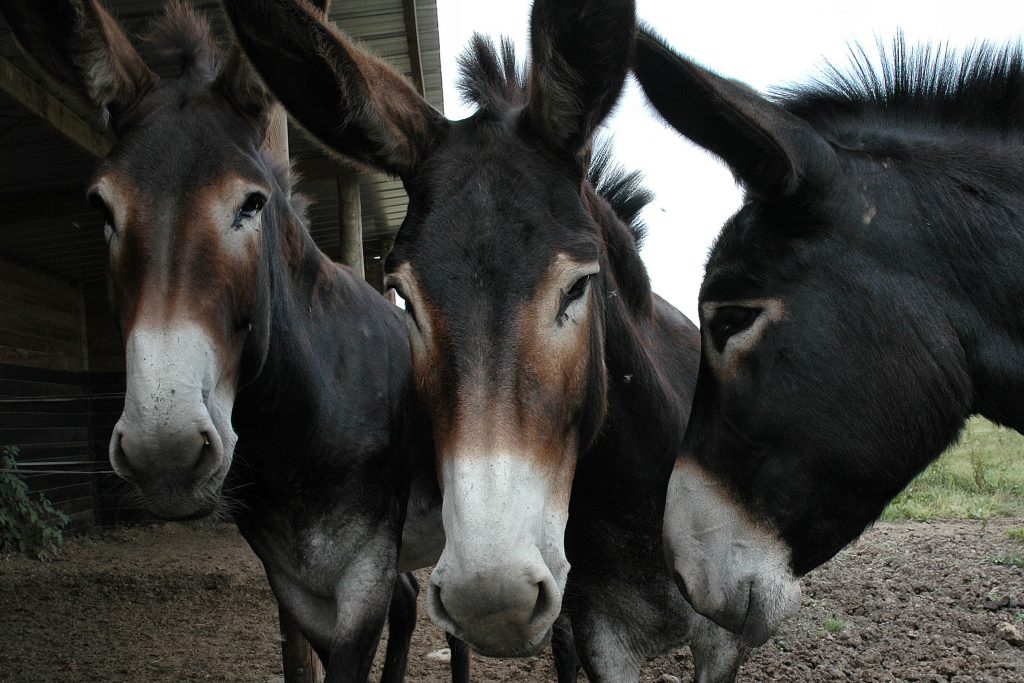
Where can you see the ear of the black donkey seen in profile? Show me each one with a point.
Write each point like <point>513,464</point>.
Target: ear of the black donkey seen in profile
<point>772,151</point>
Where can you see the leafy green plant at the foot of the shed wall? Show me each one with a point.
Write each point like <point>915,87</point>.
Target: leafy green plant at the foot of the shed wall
<point>28,526</point>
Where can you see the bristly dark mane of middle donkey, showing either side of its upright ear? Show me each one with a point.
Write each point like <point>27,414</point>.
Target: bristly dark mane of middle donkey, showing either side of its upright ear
<point>491,77</point>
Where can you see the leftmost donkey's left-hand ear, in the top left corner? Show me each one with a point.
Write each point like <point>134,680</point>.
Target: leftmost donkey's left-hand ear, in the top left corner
<point>79,46</point>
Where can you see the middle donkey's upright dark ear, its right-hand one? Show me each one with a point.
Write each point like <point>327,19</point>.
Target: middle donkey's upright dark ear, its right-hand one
<point>580,58</point>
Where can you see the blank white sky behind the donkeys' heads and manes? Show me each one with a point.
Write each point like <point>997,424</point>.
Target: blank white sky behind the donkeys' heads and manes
<point>762,44</point>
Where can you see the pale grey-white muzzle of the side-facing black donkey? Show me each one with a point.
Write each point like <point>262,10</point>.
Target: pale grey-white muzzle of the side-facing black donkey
<point>730,569</point>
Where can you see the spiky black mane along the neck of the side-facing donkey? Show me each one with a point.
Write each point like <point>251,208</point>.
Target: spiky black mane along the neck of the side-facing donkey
<point>980,90</point>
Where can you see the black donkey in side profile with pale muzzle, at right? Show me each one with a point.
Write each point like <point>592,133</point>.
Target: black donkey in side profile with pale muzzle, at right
<point>857,311</point>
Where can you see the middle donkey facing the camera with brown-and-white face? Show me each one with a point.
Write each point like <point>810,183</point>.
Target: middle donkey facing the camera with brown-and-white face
<point>539,349</point>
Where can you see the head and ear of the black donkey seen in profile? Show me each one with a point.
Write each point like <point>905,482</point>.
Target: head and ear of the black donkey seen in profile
<point>823,363</point>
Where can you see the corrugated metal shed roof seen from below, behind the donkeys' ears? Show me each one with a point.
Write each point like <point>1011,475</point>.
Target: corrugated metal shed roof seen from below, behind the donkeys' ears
<point>38,167</point>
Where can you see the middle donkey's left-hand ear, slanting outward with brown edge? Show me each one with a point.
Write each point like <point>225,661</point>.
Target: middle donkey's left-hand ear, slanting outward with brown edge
<point>350,100</point>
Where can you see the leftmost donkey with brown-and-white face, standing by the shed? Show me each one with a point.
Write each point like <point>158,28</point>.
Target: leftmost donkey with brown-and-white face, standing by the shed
<point>262,378</point>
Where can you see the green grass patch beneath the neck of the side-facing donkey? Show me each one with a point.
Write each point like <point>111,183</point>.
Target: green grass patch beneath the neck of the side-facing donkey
<point>980,478</point>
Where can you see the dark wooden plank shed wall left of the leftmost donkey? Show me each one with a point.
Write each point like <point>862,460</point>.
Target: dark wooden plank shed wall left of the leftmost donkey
<point>55,407</point>
